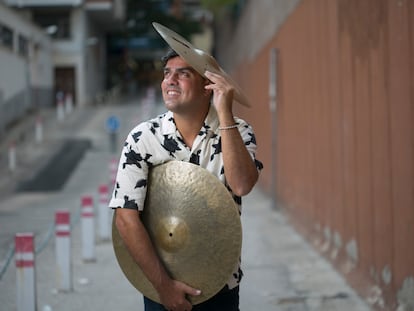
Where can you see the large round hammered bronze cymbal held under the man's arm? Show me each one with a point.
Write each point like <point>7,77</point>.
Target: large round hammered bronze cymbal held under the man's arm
<point>194,225</point>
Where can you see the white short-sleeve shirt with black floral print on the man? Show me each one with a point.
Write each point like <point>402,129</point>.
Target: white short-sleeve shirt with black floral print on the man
<point>158,141</point>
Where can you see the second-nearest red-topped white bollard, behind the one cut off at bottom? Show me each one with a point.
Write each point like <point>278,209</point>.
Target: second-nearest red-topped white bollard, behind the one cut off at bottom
<point>63,253</point>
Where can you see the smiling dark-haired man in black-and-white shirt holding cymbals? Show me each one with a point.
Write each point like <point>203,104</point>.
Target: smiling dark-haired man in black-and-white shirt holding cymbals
<point>193,130</point>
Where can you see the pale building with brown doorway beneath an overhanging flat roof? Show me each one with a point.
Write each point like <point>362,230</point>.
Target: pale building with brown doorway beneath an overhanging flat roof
<point>78,30</point>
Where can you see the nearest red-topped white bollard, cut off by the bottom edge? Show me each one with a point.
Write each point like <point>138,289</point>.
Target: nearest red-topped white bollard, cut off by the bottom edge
<point>25,272</point>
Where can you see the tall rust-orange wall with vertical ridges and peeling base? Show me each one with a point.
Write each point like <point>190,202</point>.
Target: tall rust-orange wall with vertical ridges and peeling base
<point>345,134</point>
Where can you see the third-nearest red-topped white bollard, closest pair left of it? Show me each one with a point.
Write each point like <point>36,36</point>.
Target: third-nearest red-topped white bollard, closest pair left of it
<point>88,229</point>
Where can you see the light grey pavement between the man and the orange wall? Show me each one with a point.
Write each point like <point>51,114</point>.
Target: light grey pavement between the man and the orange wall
<point>282,271</point>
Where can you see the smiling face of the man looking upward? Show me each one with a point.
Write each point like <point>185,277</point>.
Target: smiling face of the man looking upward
<point>182,87</point>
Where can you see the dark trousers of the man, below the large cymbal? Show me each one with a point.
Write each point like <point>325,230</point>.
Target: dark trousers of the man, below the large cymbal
<point>225,300</point>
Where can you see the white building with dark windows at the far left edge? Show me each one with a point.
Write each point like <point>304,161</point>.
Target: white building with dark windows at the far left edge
<point>26,69</point>
